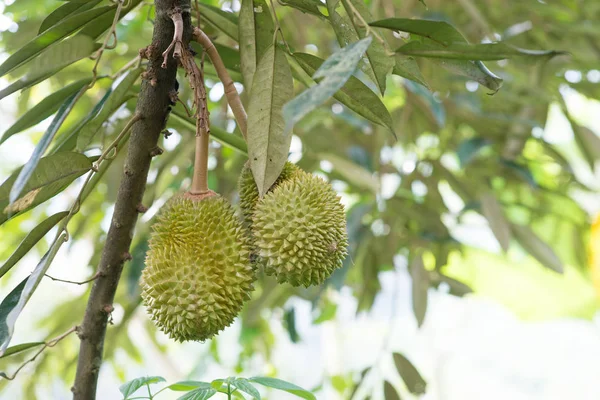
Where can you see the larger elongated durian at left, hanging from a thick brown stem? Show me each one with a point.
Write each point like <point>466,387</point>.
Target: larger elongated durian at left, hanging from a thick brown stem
<point>198,272</point>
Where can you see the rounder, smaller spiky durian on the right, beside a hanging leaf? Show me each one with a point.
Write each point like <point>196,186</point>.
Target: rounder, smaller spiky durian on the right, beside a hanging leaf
<point>300,231</point>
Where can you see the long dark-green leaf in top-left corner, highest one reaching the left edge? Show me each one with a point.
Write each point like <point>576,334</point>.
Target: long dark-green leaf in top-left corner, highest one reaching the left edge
<point>52,35</point>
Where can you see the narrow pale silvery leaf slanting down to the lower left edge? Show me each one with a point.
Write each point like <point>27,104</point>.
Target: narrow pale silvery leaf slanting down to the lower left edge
<point>11,311</point>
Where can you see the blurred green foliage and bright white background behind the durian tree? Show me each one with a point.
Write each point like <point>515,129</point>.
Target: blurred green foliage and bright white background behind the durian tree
<point>481,312</point>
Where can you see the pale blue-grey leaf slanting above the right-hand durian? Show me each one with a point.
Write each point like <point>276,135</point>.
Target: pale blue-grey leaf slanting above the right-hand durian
<point>335,71</point>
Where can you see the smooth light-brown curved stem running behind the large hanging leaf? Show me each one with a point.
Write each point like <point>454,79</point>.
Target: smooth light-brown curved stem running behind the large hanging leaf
<point>233,97</point>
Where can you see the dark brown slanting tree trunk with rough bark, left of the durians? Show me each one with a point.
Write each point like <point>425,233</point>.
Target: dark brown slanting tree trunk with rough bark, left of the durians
<point>153,106</point>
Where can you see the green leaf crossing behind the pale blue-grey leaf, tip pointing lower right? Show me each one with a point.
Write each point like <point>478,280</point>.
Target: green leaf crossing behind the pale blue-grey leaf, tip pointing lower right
<point>354,94</point>
